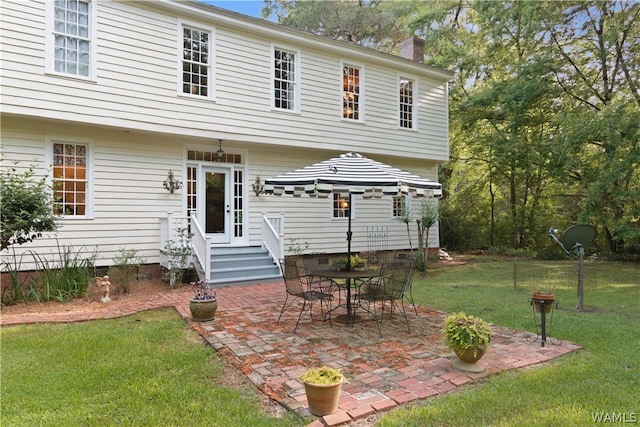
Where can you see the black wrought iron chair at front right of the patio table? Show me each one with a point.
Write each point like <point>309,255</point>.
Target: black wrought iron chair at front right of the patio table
<point>391,286</point>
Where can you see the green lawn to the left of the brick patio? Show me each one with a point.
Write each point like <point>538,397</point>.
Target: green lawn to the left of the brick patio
<point>147,369</point>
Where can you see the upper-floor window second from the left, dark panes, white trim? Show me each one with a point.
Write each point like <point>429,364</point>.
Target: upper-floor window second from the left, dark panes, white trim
<point>196,62</point>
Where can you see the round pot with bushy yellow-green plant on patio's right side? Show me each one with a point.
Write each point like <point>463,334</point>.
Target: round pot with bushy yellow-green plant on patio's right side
<point>468,336</point>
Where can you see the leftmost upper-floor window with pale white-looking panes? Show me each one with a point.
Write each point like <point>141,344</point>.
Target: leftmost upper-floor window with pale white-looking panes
<point>71,37</point>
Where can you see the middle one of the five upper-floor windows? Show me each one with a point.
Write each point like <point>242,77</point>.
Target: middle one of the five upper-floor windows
<point>285,77</point>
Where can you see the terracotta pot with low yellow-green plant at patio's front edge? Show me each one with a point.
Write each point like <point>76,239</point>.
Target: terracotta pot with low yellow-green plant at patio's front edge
<point>322,386</point>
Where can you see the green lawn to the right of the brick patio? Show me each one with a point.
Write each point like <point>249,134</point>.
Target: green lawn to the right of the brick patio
<point>604,377</point>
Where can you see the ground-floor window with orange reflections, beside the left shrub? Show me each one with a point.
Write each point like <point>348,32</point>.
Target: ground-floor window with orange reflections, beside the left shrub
<point>70,179</point>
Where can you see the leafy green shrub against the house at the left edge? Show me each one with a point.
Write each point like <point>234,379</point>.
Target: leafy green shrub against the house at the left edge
<point>27,209</point>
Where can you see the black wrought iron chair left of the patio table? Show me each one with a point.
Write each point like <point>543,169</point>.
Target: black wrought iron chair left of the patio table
<point>297,286</point>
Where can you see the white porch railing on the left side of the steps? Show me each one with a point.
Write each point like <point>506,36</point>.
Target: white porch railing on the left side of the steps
<point>201,246</point>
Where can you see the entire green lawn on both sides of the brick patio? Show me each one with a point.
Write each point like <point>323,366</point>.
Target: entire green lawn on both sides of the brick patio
<point>151,369</point>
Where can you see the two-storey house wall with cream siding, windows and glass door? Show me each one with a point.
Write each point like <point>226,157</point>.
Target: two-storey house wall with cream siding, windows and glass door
<point>107,98</point>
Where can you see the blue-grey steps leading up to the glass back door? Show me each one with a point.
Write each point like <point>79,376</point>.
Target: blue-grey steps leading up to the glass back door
<point>242,265</point>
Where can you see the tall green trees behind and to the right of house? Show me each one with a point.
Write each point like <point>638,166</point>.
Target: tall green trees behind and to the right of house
<point>544,109</point>
